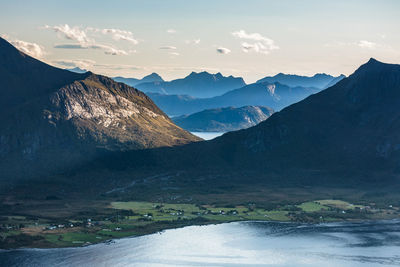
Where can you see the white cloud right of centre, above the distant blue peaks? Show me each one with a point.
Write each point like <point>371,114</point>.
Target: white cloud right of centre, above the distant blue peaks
<point>260,44</point>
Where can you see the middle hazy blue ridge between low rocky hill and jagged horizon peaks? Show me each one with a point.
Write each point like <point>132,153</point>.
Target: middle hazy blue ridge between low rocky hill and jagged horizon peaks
<point>273,95</point>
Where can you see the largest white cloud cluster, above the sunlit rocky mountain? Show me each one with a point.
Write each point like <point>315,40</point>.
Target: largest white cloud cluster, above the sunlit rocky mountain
<point>84,42</point>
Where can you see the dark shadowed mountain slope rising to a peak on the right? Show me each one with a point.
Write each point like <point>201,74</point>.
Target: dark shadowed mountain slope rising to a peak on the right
<point>344,137</point>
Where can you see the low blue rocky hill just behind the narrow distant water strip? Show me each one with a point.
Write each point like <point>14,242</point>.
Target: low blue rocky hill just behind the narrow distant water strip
<point>223,119</point>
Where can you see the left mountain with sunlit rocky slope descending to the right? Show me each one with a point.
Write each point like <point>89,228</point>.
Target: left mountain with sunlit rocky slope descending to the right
<point>56,118</point>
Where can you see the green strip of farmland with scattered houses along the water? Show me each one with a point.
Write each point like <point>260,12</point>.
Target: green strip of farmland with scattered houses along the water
<point>133,219</point>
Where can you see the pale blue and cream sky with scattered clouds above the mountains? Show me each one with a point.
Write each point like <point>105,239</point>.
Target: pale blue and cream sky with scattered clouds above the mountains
<point>252,38</point>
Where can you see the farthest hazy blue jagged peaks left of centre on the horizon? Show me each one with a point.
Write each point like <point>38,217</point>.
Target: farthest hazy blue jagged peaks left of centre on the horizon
<point>201,85</point>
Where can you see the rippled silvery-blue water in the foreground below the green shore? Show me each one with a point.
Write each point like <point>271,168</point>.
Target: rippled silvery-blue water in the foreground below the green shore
<point>234,244</point>
